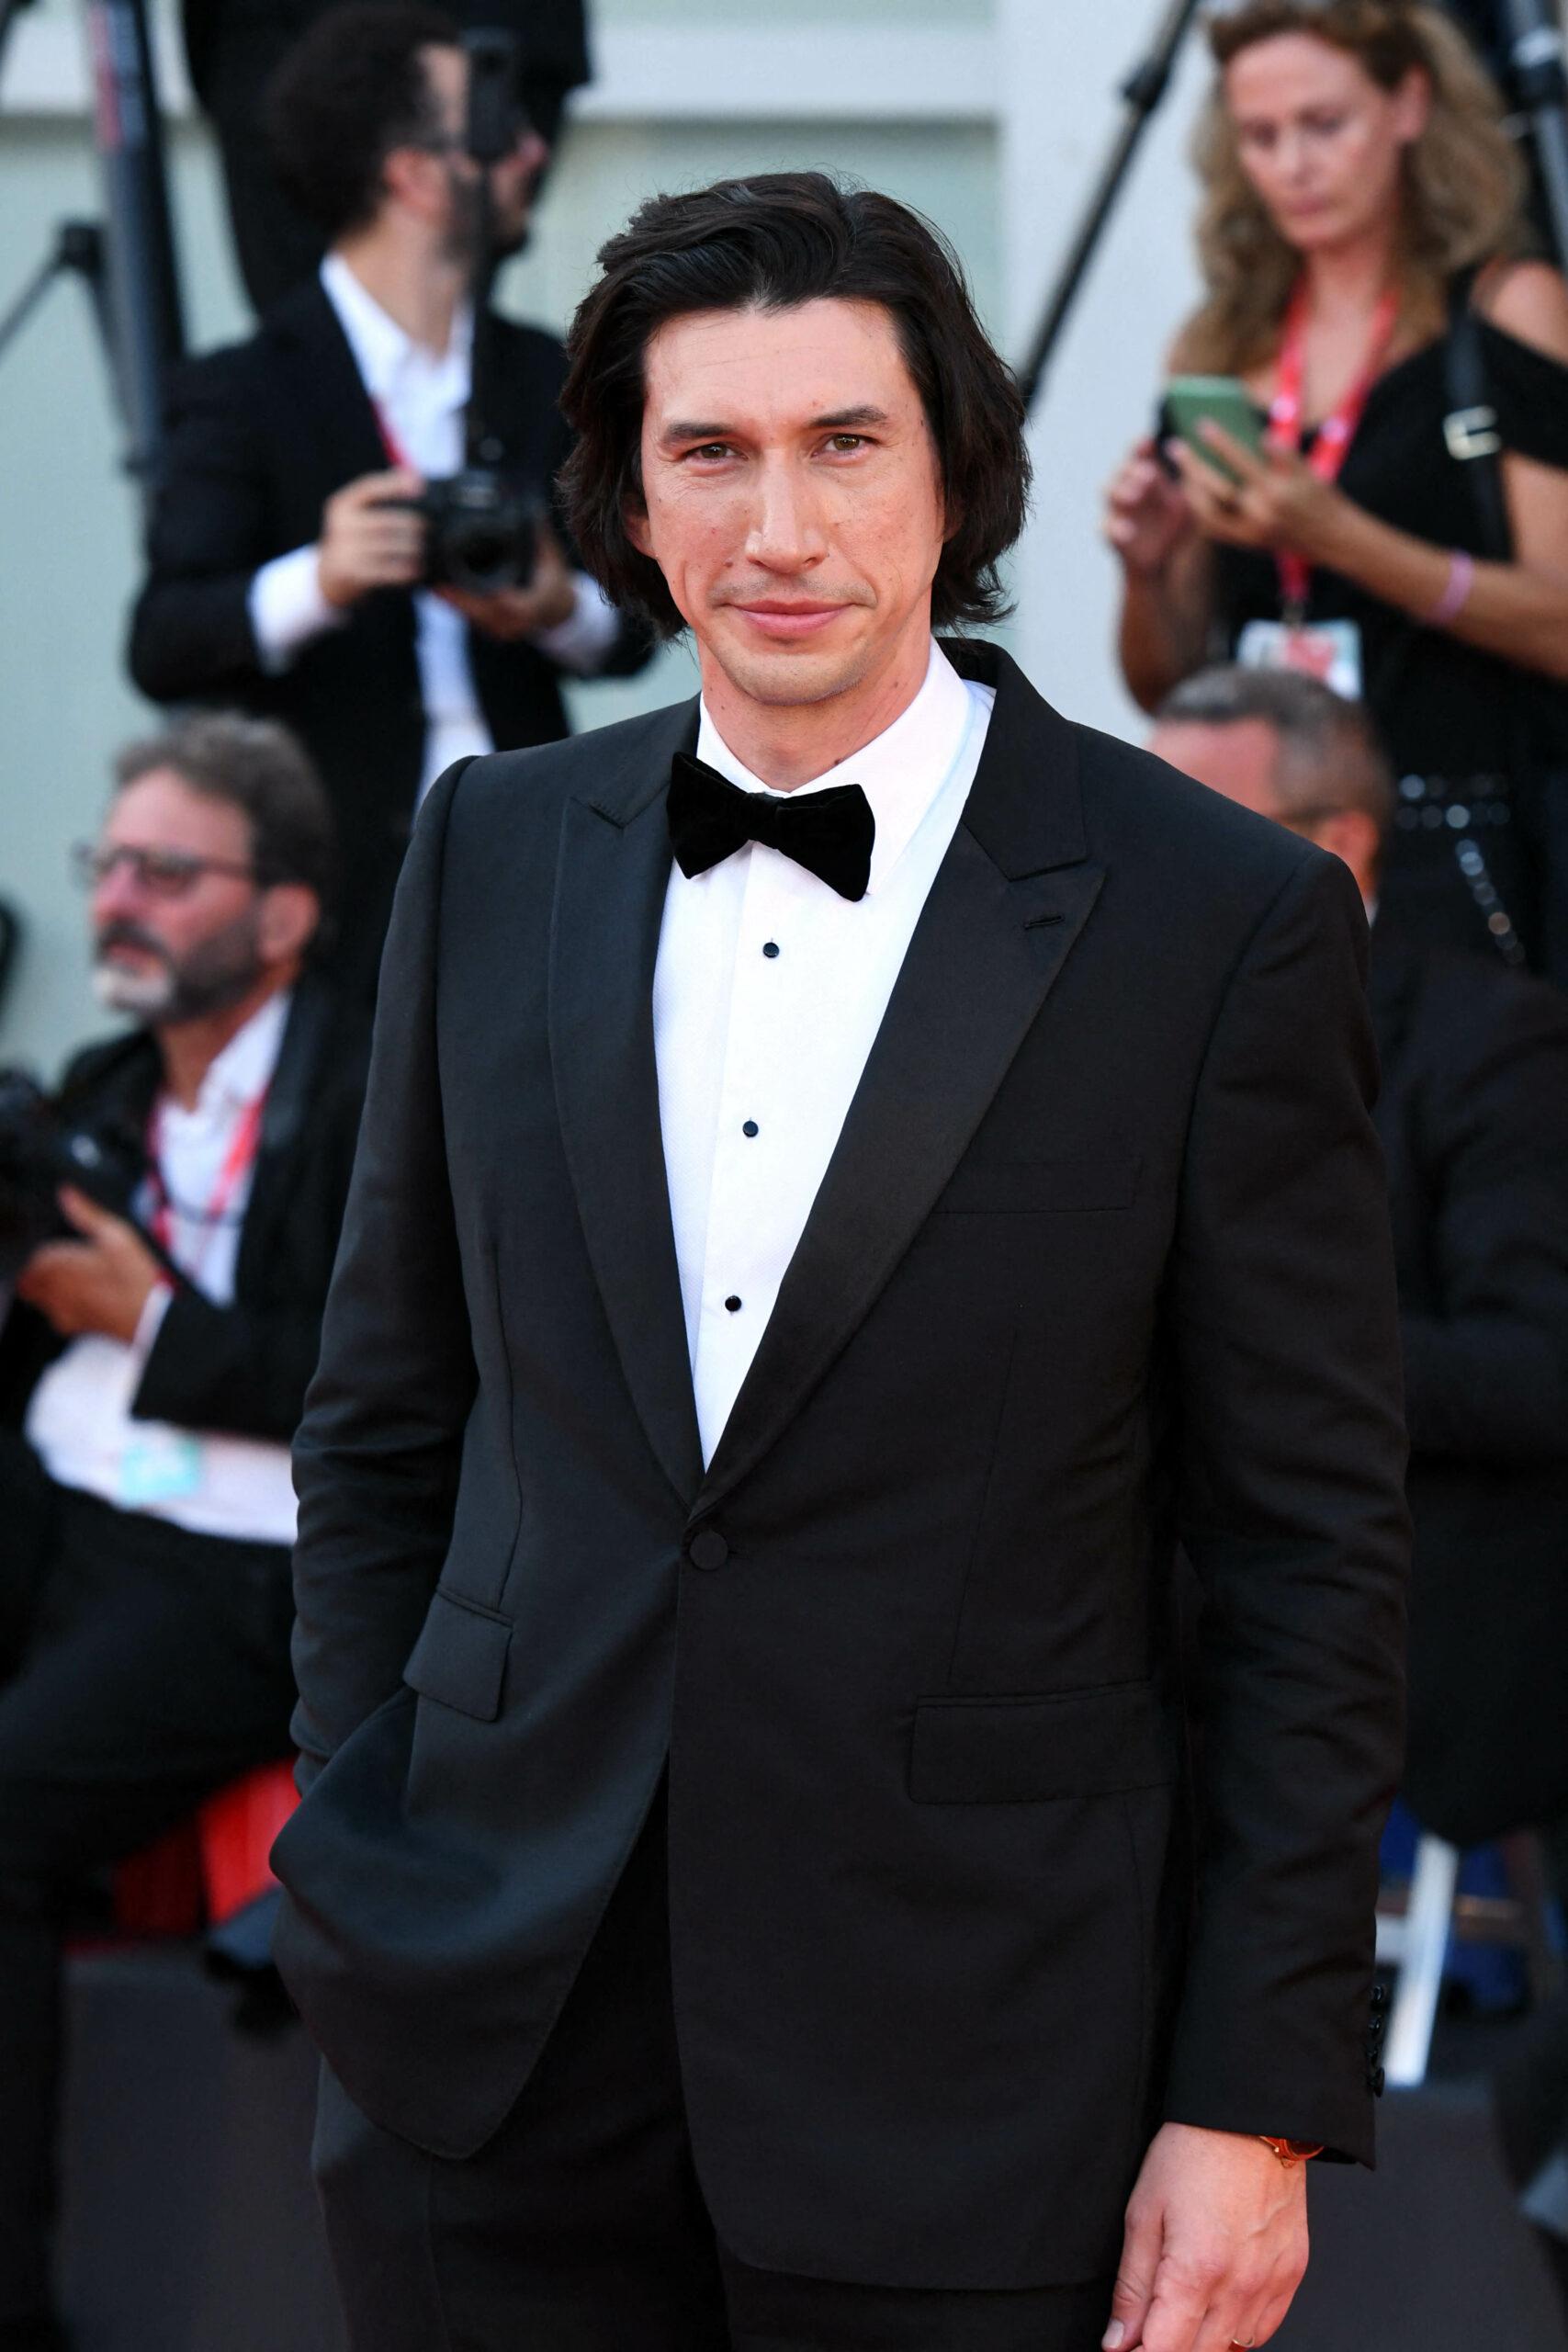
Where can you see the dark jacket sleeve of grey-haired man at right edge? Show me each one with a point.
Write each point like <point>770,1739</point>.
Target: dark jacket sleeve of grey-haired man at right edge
<point>1487,1375</point>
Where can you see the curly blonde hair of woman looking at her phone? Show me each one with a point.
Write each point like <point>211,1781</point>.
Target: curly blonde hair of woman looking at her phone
<point>1463,180</point>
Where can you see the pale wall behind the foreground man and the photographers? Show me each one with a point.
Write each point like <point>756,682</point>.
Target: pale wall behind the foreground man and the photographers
<point>986,114</point>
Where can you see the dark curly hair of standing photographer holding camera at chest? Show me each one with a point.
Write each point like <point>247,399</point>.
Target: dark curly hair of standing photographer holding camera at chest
<point>344,98</point>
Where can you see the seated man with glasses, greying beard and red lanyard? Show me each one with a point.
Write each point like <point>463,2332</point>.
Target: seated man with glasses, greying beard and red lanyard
<point>154,1372</point>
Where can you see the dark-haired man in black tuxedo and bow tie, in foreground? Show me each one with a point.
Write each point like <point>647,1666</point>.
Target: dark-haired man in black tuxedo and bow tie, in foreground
<point>833,1215</point>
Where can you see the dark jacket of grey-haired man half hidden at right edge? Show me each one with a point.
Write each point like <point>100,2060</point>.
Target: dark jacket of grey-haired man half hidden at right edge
<point>1475,1128</point>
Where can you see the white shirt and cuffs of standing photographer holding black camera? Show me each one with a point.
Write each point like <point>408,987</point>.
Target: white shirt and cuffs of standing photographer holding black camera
<point>420,399</point>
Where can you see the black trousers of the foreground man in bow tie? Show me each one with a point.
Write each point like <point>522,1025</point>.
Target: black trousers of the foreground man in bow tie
<point>582,2226</point>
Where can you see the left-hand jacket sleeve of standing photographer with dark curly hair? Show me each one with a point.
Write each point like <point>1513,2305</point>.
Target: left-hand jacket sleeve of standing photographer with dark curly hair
<point>208,535</point>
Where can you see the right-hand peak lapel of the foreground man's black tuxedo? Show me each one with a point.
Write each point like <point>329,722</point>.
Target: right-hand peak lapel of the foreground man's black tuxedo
<point>1003,916</point>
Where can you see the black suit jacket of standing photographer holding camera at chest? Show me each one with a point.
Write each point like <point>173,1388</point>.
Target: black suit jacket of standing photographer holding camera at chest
<point>260,439</point>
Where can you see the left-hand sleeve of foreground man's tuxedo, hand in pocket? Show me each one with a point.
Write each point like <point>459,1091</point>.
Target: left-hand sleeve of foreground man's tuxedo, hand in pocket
<point>377,1457</point>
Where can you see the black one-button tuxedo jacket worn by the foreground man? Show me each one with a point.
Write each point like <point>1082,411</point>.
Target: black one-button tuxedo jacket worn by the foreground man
<point>1101,1262</point>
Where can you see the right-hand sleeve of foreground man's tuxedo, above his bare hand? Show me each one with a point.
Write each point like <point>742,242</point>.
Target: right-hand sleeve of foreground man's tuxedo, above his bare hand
<point>1292,1509</point>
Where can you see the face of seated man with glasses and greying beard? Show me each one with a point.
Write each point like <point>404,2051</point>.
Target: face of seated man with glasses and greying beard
<point>175,937</point>
